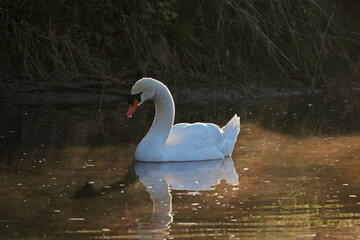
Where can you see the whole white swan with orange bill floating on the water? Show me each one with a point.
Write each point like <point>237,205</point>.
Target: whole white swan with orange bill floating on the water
<point>166,142</point>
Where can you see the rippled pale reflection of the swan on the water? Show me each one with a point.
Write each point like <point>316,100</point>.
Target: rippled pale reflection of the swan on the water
<point>160,178</point>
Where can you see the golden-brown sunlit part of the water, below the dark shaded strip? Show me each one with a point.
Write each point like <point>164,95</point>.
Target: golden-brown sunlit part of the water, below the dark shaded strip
<point>277,185</point>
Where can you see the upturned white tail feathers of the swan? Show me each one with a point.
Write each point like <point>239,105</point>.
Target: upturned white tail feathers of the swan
<point>231,131</point>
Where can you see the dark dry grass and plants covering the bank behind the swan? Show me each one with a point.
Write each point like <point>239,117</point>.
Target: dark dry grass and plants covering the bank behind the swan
<point>242,43</point>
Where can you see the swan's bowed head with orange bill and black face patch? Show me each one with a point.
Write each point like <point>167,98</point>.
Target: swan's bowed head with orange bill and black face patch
<point>142,90</point>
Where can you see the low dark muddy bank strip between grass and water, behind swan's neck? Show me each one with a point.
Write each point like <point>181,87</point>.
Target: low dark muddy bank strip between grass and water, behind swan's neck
<point>98,93</point>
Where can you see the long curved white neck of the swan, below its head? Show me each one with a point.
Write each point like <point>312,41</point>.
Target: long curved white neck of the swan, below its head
<point>164,116</point>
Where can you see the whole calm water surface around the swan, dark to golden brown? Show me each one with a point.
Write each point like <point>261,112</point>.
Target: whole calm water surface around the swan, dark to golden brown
<point>69,173</point>
